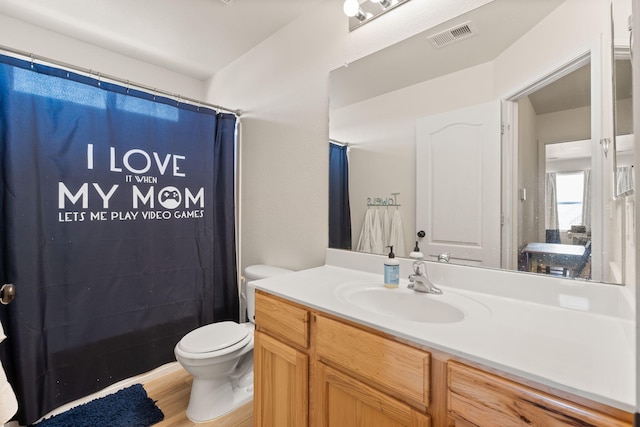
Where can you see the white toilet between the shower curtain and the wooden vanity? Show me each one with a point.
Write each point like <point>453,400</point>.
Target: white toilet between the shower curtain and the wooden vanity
<point>220,358</point>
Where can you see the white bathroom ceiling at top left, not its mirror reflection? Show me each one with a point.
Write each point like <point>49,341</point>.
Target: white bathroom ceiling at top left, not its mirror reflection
<point>192,37</point>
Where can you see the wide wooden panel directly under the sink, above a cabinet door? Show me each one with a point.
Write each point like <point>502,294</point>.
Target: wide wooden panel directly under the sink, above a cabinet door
<point>395,368</point>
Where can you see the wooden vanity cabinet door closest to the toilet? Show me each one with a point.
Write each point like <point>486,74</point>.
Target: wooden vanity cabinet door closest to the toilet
<point>281,394</point>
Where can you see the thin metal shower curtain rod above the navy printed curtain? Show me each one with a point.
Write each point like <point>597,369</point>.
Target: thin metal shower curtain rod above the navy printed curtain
<point>179,98</point>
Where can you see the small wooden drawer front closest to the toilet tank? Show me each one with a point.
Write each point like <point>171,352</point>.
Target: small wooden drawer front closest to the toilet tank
<point>282,319</point>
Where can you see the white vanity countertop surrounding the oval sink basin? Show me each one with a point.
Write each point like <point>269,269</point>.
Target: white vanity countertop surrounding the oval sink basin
<point>585,353</point>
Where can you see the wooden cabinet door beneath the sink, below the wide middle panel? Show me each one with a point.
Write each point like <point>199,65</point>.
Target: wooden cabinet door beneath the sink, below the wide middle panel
<point>344,401</point>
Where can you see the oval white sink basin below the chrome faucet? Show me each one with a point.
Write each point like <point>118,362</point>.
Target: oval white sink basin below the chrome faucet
<point>406,304</point>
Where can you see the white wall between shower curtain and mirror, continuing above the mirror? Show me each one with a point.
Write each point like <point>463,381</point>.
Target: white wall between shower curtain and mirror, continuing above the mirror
<point>283,87</point>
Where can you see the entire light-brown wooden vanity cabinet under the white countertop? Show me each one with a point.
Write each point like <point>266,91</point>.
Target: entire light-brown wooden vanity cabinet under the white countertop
<point>315,369</point>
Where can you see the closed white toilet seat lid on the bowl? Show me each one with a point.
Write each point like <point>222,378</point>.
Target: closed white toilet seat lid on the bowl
<point>215,339</point>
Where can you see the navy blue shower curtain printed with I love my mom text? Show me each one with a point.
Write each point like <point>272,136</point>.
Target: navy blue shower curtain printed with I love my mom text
<point>117,228</point>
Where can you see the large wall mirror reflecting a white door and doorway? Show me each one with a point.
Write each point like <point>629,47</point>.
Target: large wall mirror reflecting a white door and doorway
<point>491,137</point>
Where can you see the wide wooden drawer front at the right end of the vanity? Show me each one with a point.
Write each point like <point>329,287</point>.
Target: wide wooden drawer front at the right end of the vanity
<point>482,399</point>
